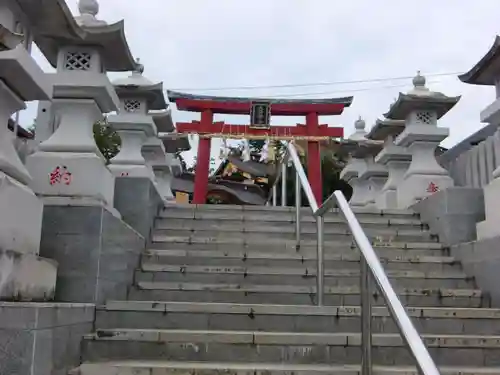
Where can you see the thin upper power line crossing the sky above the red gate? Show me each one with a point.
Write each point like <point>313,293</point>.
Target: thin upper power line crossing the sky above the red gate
<point>312,84</point>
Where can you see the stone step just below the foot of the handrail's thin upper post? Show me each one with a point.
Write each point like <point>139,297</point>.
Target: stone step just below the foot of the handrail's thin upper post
<point>305,258</point>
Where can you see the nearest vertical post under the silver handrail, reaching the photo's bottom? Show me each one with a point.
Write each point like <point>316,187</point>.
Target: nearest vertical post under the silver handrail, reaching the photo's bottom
<point>366,319</point>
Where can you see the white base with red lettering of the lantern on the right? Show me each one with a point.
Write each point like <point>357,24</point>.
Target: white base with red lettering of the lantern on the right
<point>416,187</point>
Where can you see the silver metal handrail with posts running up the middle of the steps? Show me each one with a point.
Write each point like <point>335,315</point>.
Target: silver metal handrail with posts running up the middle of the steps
<point>370,267</point>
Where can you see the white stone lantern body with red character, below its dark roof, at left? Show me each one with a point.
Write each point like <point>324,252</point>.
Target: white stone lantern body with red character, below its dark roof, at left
<point>68,165</point>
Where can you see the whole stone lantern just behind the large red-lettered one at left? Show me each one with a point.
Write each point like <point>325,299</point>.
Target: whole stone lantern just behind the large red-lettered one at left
<point>135,125</point>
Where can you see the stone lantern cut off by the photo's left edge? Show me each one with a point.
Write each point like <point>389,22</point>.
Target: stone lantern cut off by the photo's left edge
<point>23,274</point>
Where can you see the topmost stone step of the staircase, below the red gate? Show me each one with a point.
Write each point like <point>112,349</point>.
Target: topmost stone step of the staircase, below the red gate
<point>263,213</point>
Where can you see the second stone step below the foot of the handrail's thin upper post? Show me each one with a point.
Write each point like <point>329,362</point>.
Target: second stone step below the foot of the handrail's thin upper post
<point>259,275</point>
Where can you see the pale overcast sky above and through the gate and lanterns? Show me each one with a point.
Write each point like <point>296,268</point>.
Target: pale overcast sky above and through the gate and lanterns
<point>199,44</point>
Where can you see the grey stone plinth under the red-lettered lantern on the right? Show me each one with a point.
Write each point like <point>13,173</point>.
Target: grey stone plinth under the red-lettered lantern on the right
<point>453,213</point>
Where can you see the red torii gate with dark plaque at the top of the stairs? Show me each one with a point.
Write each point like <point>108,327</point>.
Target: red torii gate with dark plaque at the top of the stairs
<point>206,128</point>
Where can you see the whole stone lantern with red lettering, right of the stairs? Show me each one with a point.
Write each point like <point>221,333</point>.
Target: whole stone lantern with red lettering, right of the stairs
<point>421,109</point>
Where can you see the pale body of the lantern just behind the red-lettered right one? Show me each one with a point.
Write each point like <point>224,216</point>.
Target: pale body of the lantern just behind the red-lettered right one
<point>396,159</point>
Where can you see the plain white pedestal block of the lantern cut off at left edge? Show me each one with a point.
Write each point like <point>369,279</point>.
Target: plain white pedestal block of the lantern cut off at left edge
<point>20,217</point>
